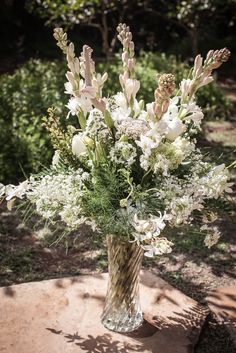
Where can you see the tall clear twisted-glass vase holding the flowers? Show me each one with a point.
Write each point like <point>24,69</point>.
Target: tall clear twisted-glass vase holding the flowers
<point>122,312</point>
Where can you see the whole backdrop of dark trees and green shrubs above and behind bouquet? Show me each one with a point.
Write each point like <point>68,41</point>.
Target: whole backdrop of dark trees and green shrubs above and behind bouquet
<point>166,33</point>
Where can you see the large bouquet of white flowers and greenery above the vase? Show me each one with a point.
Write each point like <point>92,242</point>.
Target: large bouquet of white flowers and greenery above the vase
<point>122,166</point>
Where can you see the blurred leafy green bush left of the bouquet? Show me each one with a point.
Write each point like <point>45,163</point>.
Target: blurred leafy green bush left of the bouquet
<point>24,99</point>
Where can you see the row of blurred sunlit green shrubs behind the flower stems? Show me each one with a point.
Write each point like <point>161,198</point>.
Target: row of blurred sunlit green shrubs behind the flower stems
<point>26,94</point>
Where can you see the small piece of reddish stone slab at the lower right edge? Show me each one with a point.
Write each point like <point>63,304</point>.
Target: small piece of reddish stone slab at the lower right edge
<point>222,303</point>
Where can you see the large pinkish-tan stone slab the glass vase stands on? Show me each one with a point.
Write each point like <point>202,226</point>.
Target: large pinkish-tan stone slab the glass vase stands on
<point>63,316</point>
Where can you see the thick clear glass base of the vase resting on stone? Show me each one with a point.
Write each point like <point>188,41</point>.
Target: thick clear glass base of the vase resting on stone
<point>123,325</point>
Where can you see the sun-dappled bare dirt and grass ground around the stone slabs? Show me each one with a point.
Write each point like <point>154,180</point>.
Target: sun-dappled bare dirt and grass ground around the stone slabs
<point>27,252</point>
